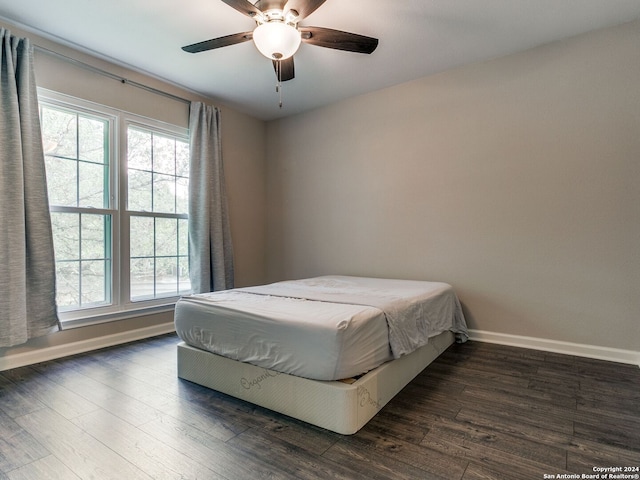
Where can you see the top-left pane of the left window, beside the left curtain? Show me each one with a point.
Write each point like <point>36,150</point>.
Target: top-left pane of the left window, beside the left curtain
<point>59,133</point>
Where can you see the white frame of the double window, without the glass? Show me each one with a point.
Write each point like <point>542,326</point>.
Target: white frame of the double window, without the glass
<point>121,307</point>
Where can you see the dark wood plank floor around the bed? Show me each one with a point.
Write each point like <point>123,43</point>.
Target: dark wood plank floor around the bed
<point>480,411</point>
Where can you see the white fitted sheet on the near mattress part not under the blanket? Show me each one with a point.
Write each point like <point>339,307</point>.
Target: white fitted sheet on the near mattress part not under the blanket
<point>312,339</point>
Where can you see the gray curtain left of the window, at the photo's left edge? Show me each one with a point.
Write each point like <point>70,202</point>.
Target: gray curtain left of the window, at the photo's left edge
<point>27,278</point>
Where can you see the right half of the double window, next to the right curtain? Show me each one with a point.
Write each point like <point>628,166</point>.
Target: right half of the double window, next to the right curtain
<point>158,194</point>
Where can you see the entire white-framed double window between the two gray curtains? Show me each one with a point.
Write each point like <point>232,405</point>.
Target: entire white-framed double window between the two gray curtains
<point>118,194</point>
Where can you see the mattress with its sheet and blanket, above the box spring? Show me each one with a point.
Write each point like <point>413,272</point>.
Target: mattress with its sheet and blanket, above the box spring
<point>324,328</point>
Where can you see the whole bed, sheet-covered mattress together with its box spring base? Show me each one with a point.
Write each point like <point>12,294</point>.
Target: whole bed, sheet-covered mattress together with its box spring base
<point>330,350</point>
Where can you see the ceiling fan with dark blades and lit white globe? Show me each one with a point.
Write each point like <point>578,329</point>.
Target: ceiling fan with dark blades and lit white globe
<point>277,34</point>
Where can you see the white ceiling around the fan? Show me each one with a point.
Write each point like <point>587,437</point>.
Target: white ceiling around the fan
<point>417,38</point>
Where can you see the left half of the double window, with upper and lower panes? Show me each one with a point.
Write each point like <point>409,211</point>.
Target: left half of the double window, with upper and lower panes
<point>77,160</point>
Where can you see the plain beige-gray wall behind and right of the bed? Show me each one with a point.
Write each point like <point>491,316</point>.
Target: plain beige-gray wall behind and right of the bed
<point>515,180</point>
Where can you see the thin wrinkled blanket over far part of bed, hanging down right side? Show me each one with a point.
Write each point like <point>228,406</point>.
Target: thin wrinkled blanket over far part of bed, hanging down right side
<point>414,310</point>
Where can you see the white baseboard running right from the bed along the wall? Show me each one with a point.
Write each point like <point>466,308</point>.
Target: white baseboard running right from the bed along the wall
<point>567,348</point>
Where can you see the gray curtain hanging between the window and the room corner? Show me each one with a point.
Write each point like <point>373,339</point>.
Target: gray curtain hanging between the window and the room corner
<point>210,249</point>
